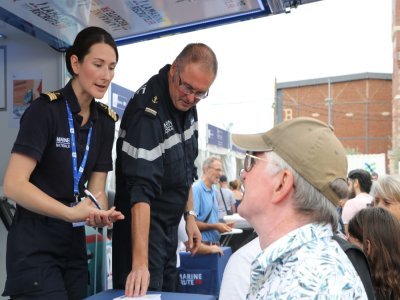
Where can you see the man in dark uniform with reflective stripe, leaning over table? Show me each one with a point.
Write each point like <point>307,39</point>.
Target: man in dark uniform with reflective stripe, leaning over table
<point>156,149</point>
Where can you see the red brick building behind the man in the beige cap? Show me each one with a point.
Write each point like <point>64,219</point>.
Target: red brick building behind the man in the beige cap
<point>358,106</point>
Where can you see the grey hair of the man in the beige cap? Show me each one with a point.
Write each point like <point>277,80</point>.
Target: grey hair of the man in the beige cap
<point>307,199</point>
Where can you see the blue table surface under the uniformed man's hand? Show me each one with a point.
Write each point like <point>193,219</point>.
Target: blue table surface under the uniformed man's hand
<point>111,294</point>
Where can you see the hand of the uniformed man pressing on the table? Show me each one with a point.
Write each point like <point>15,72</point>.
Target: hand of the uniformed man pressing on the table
<point>137,282</point>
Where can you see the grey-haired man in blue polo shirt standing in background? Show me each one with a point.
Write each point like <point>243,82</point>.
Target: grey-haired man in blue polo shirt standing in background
<point>205,202</point>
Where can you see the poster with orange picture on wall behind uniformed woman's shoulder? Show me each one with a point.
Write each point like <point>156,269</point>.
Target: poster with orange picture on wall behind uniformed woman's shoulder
<point>25,87</point>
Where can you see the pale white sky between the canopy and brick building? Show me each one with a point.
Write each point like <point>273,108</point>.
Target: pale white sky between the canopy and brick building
<point>321,39</point>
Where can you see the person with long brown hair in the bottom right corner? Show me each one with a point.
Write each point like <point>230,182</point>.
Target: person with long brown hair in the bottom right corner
<point>377,232</point>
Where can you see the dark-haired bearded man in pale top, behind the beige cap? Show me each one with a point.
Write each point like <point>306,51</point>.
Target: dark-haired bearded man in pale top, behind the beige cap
<point>360,183</point>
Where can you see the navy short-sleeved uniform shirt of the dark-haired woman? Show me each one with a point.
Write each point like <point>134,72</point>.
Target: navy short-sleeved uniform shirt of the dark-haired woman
<point>44,136</point>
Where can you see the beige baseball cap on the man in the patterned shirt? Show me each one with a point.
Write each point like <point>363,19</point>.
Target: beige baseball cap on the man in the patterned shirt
<point>308,145</point>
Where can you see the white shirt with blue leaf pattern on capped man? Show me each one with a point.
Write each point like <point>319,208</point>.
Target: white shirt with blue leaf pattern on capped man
<point>305,264</point>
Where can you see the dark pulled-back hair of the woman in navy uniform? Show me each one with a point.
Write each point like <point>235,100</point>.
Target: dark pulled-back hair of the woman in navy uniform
<point>86,39</point>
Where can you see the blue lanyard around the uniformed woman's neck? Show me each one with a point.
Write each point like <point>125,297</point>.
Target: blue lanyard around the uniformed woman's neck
<point>77,172</point>
